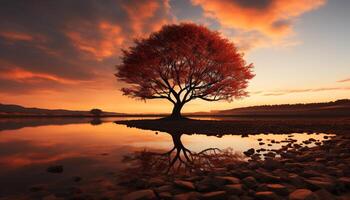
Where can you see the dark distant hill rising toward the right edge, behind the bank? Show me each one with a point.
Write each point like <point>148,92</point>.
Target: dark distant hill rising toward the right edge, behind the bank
<point>334,108</point>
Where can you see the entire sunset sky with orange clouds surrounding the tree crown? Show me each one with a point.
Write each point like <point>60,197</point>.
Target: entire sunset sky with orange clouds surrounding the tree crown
<point>62,54</point>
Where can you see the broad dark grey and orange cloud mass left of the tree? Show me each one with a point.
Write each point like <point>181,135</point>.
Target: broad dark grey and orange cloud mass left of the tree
<point>51,44</point>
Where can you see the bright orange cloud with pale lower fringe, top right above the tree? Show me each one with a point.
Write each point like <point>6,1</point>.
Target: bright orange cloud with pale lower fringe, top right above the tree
<point>262,19</point>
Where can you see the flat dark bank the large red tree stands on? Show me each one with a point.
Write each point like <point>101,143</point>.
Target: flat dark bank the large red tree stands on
<point>244,126</point>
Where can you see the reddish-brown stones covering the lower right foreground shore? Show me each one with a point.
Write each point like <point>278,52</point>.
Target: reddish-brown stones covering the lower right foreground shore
<point>293,172</point>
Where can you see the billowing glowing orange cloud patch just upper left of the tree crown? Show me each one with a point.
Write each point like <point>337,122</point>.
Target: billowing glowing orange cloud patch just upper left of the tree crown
<point>105,38</point>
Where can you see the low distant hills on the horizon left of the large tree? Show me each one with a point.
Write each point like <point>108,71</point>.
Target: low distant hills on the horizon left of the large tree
<point>16,110</point>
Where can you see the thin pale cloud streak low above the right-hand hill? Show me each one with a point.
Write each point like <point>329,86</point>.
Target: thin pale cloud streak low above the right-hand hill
<point>291,91</point>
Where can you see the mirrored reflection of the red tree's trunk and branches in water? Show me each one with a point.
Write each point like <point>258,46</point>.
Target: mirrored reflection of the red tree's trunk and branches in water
<point>180,159</point>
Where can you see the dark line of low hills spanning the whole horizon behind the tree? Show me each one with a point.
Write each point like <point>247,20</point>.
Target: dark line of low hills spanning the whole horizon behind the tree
<point>339,108</point>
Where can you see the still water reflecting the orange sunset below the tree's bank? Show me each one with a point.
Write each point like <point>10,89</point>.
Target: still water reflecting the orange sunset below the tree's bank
<point>27,148</point>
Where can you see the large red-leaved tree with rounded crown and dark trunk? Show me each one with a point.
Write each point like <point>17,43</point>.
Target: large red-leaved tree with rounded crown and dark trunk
<point>181,63</point>
